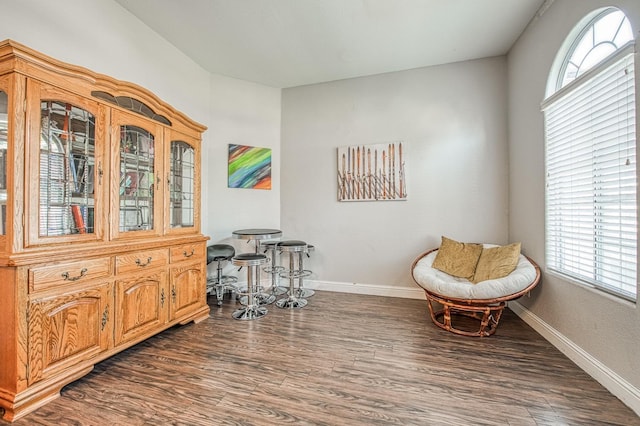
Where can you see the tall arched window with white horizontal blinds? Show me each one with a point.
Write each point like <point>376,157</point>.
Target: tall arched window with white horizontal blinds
<point>590,156</point>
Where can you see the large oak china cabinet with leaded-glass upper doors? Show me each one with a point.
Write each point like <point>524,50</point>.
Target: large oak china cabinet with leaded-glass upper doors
<point>100,240</point>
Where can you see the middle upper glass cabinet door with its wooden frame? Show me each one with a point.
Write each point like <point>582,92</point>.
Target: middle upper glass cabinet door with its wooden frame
<point>138,158</point>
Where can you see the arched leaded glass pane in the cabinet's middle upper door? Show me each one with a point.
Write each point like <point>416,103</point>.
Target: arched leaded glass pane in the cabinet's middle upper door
<point>136,179</point>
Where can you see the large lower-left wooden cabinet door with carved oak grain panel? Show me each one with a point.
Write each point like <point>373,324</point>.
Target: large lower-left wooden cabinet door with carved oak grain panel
<point>68,328</point>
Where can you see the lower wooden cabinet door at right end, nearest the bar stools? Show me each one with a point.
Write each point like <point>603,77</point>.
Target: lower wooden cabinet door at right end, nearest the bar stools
<point>188,289</point>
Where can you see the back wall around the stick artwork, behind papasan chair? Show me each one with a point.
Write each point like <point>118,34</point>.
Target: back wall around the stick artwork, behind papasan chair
<point>452,121</point>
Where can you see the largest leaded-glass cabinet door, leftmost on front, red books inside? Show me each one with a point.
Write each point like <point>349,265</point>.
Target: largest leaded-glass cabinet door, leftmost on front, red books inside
<point>64,149</point>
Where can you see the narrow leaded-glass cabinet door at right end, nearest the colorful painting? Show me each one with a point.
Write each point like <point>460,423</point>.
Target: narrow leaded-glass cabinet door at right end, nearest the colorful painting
<point>184,189</point>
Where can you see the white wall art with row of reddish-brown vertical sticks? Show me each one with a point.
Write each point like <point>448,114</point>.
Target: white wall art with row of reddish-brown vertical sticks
<point>372,172</point>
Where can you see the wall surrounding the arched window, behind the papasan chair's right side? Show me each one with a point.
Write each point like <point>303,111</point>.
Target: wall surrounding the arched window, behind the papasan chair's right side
<point>599,332</point>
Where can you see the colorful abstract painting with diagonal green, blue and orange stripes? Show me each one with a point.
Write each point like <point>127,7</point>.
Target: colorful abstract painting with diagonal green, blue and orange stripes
<point>249,167</point>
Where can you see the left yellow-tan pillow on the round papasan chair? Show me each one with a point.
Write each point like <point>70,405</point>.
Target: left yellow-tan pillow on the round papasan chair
<point>457,259</point>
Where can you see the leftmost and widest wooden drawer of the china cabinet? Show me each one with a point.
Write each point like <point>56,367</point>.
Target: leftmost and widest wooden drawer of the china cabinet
<point>83,270</point>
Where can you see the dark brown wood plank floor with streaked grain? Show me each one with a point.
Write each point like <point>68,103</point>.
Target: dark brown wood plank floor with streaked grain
<point>344,359</point>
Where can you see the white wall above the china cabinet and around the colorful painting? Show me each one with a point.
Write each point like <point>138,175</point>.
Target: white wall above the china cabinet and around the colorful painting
<point>104,37</point>
